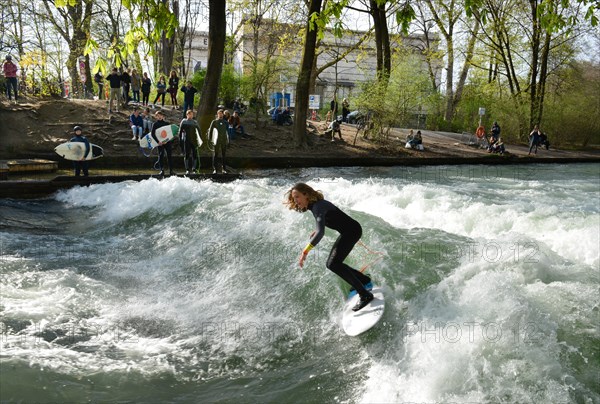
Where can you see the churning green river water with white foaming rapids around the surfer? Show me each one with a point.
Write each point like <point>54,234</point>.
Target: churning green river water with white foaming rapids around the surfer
<point>185,291</point>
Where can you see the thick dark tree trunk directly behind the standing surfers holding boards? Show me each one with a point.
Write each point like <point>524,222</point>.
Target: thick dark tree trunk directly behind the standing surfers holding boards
<point>216,54</point>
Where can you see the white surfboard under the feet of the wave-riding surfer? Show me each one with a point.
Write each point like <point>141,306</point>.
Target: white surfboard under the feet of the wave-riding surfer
<point>357,322</point>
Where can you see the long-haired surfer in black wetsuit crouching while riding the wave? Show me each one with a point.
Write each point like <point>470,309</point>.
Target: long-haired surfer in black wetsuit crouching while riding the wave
<point>301,198</point>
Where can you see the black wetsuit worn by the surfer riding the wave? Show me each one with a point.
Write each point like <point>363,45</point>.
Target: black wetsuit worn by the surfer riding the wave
<point>328,215</point>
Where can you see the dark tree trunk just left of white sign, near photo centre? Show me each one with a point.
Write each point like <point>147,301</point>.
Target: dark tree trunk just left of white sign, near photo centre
<point>303,83</point>
